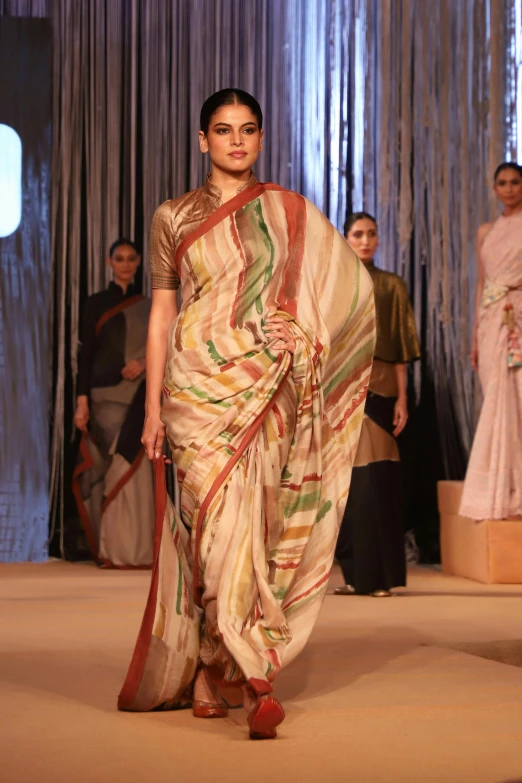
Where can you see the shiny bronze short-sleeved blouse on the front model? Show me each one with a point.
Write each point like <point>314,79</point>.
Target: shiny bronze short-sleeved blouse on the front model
<point>176,219</point>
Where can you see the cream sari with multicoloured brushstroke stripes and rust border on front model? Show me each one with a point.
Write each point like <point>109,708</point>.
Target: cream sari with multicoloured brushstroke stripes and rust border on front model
<point>263,442</point>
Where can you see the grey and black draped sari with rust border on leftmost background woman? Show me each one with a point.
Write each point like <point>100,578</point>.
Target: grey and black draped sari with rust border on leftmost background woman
<point>112,482</point>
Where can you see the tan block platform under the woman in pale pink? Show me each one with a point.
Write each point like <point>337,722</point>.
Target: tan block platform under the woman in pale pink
<point>488,551</point>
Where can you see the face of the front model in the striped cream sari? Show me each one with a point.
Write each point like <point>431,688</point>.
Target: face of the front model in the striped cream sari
<point>234,140</point>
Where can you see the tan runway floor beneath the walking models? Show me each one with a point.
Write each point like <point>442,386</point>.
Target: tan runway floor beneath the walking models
<point>380,695</point>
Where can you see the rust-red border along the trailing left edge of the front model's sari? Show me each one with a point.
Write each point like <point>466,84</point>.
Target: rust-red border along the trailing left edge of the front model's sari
<point>141,650</point>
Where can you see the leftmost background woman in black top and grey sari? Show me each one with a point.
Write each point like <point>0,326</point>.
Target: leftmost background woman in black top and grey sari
<point>112,481</point>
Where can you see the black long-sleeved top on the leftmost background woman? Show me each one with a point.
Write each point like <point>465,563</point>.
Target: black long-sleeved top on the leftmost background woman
<point>95,306</point>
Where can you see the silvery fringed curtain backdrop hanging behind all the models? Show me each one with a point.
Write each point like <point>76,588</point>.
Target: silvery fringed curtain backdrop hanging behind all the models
<point>401,107</point>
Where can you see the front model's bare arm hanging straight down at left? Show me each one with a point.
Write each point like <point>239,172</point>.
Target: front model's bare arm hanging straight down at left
<point>164,310</point>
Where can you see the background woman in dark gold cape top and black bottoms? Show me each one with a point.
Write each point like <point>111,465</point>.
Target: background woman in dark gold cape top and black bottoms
<point>370,548</point>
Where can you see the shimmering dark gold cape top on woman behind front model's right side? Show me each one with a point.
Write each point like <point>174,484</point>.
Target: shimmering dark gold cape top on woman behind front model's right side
<point>397,340</point>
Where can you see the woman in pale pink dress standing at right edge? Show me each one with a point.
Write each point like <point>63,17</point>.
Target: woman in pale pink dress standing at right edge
<point>493,486</point>
